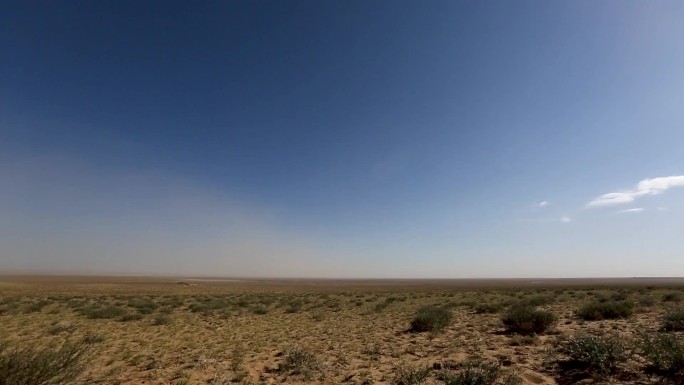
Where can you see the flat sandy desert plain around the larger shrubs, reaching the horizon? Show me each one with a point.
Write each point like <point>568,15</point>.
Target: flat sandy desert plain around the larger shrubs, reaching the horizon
<point>217,331</point>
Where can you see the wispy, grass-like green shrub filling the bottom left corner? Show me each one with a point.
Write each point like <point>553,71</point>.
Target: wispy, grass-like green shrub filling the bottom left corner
<point>33,366</point>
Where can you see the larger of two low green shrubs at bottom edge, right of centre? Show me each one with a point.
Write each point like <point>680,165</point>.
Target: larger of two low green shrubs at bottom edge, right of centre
<point>480,373</point>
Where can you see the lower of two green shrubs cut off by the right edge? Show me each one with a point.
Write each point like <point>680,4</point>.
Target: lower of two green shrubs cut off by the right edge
<point>664,354</point>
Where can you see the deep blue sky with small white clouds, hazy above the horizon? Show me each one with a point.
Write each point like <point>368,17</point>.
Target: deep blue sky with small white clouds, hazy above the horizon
<point>343,138</point>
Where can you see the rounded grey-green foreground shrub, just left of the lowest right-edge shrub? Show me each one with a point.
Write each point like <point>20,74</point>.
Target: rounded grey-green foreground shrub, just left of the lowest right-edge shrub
<point>599,355</point>
